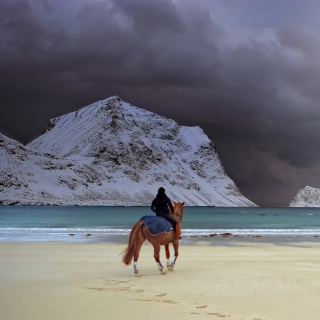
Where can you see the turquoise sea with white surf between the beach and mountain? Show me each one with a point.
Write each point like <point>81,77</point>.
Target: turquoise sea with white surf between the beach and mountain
<point>75,223</point>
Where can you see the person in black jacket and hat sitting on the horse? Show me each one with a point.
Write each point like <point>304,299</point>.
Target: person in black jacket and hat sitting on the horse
<point>162,206</point>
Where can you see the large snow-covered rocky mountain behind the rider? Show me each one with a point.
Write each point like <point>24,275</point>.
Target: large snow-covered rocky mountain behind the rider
<point>111,153</point>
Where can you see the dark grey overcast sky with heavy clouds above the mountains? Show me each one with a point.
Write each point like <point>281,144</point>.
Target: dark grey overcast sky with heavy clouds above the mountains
<point>246,71</point>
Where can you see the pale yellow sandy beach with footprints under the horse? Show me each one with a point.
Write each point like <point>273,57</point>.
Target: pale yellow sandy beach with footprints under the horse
<point>55,280</point>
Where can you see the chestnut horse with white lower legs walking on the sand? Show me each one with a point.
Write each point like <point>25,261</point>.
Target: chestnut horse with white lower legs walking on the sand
<point>140,233</point>
